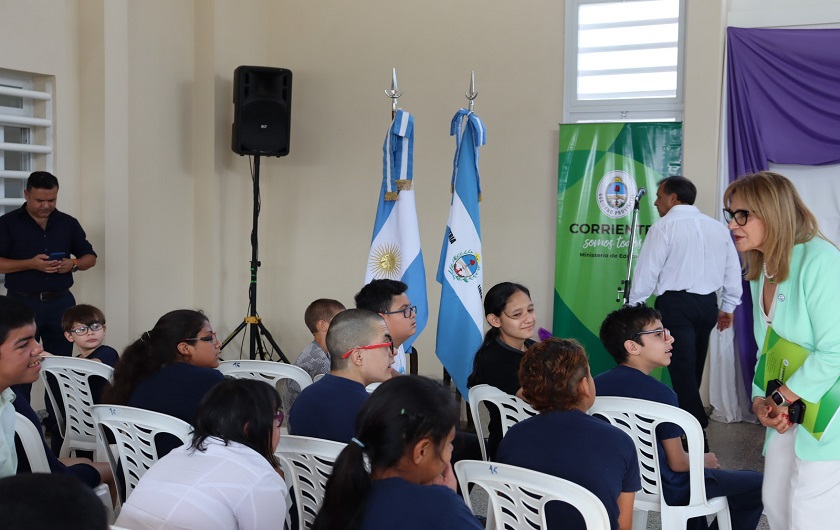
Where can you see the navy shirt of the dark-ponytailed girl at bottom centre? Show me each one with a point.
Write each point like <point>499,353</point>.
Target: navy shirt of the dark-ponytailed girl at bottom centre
<point>397,503</point>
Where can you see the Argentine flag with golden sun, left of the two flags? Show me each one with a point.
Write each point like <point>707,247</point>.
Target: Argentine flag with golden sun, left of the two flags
<point>395,247</point>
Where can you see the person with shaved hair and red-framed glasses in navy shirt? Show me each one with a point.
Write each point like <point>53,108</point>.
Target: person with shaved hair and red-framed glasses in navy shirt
<point>361,352</point>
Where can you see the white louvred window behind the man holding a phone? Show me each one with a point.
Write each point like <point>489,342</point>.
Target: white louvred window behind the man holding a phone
<point>25,132</point>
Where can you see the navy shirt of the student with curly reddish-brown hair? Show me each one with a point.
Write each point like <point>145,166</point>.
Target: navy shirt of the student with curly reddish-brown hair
<point>577,447</point>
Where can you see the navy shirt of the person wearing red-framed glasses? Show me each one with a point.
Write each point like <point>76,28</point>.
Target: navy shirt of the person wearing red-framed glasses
<point>327,409</point>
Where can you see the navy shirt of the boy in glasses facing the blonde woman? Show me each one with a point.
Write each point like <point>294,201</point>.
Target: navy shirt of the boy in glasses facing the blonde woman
<point>625,381</point>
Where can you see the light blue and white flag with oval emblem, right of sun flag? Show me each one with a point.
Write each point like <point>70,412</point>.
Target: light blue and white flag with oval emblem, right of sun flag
<point>460,274</point>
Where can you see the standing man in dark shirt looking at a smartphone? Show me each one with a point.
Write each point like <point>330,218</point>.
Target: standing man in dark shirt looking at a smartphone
<point>40,249</point>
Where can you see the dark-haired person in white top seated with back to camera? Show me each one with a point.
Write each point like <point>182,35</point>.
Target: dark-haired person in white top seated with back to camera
<point>227,476</point>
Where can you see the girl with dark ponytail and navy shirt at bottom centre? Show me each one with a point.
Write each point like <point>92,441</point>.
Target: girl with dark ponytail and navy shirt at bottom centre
<point>396,472</point>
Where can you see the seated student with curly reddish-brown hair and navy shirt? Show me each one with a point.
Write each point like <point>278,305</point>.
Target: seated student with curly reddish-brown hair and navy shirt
<point>566,442</point>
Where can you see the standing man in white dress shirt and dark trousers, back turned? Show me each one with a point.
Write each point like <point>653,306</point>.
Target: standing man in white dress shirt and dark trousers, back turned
<point>687,257</point>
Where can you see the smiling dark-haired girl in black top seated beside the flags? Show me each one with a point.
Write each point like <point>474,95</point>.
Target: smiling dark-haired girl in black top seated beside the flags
<point>510,312</point>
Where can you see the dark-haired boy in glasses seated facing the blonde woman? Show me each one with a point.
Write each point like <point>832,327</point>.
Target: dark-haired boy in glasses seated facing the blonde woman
<point>635,338</point>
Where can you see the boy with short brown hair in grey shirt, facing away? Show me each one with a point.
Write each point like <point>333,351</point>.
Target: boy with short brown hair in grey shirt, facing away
<point>314,359</point>
